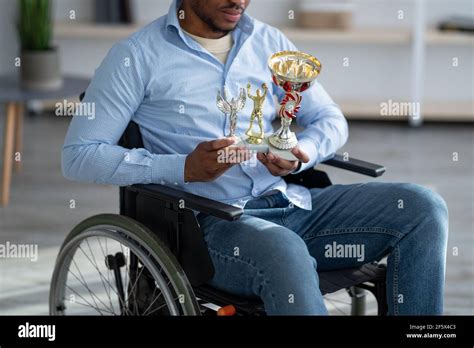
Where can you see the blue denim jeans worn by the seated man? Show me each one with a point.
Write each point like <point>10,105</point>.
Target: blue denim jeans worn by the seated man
<point>275,249</point>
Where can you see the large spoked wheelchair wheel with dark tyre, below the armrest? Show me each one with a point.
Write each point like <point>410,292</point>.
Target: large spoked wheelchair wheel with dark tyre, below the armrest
<point>113,265</point>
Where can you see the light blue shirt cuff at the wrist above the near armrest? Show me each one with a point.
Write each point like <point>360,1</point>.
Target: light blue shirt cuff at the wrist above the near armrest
<point>168,170</point>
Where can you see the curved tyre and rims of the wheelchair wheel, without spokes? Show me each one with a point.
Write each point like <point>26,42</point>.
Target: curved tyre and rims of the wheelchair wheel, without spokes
<point>139,239</point>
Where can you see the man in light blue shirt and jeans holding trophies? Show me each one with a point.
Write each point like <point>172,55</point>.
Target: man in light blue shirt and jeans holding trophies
<point>164,78</point>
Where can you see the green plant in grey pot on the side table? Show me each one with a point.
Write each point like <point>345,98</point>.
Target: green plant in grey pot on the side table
<point>40,68</point>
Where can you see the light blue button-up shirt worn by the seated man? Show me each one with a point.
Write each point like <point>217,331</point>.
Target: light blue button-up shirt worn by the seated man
<point>167,83</point>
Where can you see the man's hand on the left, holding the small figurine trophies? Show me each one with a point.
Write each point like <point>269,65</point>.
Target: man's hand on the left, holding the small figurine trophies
<point>210,159</point>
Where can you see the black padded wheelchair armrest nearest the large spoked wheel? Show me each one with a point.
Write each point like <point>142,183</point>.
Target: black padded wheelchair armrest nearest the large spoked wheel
<point>191,201</point>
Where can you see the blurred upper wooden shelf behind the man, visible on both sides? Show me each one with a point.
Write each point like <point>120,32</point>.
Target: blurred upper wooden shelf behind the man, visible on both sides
<point>354,36</point>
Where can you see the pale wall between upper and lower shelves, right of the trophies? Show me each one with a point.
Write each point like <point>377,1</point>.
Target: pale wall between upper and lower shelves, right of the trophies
<point>384,71</point>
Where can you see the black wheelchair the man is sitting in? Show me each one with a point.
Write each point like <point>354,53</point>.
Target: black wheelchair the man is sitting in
<point>152,259</point>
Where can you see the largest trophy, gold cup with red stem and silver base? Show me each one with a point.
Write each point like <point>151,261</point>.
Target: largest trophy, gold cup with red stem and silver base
<point>293,71</point>
